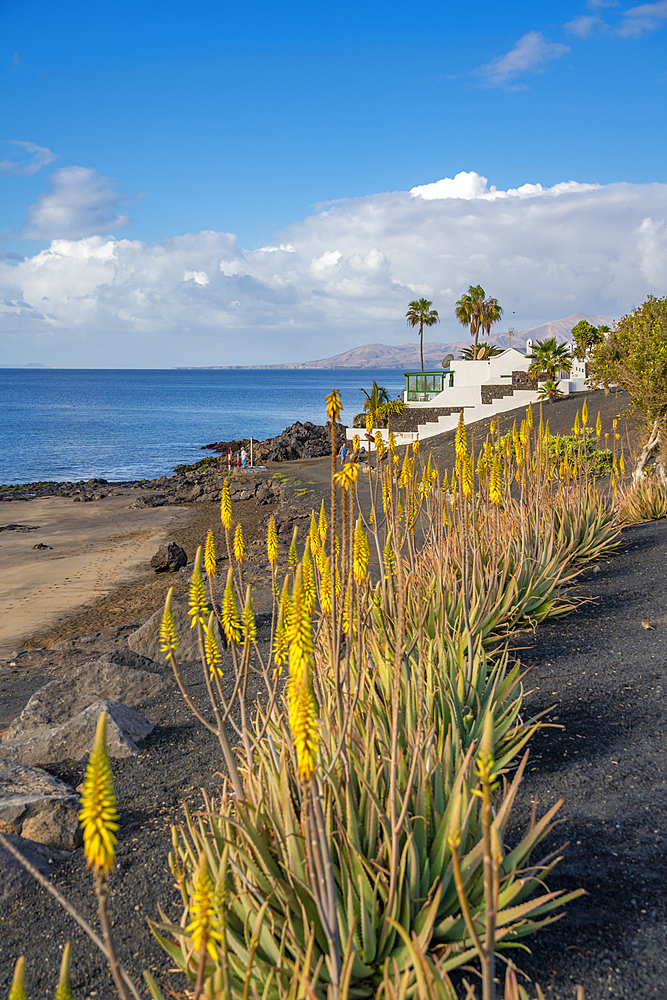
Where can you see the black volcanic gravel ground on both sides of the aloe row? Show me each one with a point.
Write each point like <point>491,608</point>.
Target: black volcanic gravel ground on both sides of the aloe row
<point>600,669</point>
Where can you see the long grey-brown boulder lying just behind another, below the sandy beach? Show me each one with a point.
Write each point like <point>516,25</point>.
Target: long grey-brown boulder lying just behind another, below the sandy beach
<point>62,699</point>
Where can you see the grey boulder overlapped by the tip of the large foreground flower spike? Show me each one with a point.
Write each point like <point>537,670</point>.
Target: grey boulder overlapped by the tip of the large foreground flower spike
<point>74,738</point>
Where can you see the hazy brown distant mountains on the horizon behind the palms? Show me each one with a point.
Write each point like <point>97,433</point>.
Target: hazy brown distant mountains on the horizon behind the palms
<point>407,355</point>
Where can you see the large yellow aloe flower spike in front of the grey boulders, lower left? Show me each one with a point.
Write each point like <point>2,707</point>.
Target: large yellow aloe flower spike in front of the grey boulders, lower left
<point>98,815</point>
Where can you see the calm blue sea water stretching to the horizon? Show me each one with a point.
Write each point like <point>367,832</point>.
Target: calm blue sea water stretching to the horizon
<point>60,424</point>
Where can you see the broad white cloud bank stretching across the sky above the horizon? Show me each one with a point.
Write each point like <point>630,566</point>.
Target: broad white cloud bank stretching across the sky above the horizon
<point>340,277</point>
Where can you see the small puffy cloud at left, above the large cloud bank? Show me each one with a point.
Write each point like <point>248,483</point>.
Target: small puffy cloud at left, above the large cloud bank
<point>79,203</point>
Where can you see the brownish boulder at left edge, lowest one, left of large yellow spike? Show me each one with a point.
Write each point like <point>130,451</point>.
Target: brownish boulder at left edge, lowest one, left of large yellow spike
<point>38,806</point>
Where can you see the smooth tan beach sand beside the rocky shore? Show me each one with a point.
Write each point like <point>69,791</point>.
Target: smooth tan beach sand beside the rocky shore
<point>94,548</point>
